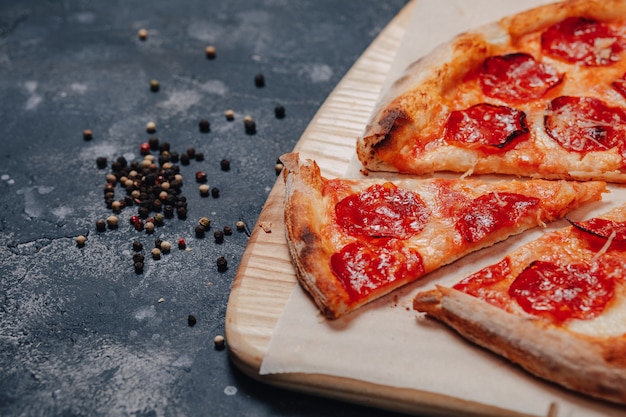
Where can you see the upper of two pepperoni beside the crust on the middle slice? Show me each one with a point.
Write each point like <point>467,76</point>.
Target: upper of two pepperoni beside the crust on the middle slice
<point>382,211</point>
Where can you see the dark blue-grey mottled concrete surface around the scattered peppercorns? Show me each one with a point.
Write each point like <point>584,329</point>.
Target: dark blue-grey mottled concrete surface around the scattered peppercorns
<point>81,333</point>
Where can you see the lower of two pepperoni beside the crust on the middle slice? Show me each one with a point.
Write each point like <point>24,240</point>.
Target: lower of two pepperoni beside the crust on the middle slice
<point>364,266</point>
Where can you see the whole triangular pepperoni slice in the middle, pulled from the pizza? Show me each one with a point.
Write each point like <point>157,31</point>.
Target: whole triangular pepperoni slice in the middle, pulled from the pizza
<point>352,241</point>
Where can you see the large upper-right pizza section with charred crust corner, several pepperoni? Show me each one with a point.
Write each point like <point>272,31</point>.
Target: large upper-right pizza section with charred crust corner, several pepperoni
<point>538,94</point>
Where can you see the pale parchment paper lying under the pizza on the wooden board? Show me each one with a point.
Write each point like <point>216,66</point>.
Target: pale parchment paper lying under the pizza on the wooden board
<point>386,342</point>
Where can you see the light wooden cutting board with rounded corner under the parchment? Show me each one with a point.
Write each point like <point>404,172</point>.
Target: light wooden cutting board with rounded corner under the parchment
<point>266,277</point>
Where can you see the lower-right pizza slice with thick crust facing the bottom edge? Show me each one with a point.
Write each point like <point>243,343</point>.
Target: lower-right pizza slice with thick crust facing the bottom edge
<point>556,306</point>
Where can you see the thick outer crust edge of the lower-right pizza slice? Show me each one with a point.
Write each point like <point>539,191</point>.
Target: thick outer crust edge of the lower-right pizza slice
<point>591,365</point>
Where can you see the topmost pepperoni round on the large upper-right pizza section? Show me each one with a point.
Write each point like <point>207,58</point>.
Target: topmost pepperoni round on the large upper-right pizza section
<point>581,40</point>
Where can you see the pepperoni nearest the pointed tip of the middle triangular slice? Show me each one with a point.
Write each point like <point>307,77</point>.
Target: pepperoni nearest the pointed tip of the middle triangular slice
<point>491,212</point>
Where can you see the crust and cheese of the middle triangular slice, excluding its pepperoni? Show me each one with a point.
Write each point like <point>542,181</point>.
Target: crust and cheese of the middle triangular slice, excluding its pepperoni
<point>313,236</point>
